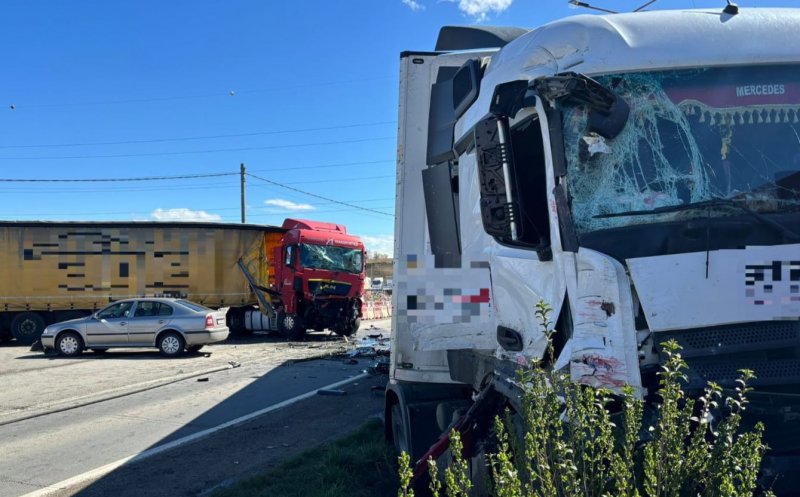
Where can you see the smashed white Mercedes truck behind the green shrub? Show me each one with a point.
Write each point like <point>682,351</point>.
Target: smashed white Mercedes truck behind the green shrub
<point>639,172</point>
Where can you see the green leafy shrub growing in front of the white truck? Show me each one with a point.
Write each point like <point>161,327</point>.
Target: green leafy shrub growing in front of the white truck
<point>567,442</point>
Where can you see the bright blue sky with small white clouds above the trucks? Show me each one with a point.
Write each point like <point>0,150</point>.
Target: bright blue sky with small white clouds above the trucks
<point>304,93</point>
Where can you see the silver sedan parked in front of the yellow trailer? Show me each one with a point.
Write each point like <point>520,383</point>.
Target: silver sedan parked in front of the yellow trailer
<point>171,325</point>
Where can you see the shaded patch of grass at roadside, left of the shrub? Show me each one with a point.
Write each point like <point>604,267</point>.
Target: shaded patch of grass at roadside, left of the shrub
<point>359,465</point>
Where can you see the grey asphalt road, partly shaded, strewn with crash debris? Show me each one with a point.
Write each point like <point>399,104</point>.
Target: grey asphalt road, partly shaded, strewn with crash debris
<point>74,425</point>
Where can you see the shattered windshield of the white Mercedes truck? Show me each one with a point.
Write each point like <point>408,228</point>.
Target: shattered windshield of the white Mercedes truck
<point>692,136</point>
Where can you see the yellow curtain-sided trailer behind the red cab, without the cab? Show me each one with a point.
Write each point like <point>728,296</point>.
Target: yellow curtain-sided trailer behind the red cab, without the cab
<point>52,271</point>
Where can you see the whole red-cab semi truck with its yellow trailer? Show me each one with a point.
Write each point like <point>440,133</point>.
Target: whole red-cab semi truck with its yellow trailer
<point>290,278</point>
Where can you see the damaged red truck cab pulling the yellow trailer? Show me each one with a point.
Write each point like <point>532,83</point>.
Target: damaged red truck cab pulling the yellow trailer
<point>320,278</point>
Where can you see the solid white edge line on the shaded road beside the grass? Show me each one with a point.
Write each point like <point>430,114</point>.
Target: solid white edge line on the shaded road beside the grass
<point>108,468</point>
